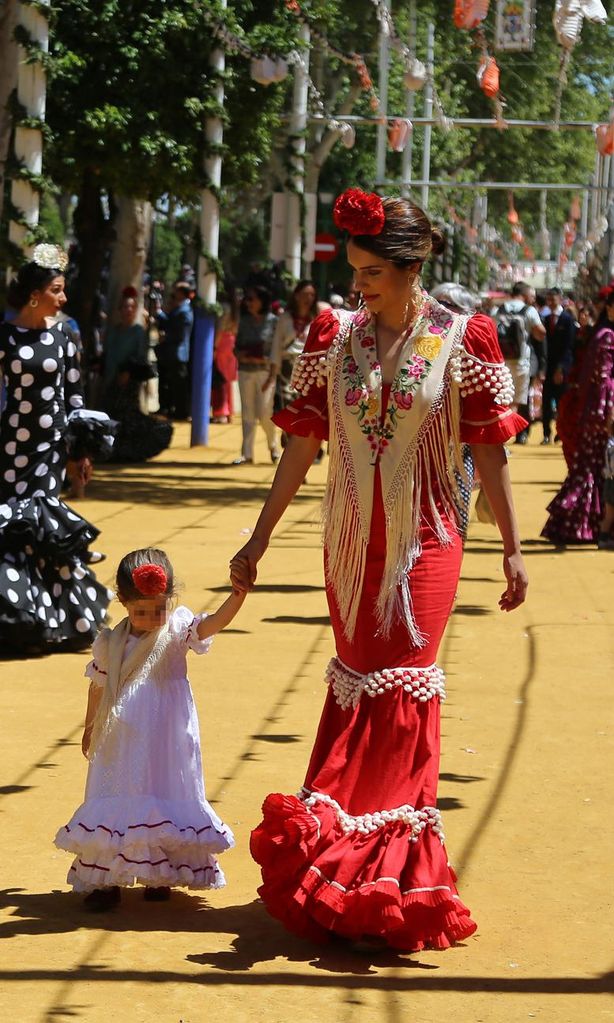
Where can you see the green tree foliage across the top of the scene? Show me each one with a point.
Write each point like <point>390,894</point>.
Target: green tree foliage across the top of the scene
<point>131,88</point>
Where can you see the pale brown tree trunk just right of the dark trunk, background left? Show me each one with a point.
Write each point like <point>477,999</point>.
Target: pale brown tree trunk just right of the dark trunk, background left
<point>129,253</point>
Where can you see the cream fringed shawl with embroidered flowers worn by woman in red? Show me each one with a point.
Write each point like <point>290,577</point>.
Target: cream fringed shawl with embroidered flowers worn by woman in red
<point>418,446</point>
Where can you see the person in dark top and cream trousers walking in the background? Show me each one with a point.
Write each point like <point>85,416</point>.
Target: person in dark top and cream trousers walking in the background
<point>256,382</point>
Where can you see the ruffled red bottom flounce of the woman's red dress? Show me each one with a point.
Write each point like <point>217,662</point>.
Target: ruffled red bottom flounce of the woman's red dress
<point>293,848</point>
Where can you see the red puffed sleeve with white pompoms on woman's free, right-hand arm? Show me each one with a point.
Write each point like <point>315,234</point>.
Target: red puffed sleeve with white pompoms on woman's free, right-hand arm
<point>487,387</point>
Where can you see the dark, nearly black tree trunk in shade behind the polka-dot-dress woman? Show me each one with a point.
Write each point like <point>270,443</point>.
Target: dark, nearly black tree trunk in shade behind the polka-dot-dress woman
<point>94,235</point>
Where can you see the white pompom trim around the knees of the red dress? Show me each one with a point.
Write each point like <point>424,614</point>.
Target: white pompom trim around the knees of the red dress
<point>348,686</point>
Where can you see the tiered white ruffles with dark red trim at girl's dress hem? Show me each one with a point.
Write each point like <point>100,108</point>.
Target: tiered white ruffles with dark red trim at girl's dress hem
<point>145,840</point>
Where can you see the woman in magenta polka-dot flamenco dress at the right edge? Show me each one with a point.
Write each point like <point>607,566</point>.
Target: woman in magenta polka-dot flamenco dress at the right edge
<point>576,514</point>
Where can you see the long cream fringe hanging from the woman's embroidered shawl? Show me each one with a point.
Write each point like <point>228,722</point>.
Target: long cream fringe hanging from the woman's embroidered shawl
<point>430,459</point>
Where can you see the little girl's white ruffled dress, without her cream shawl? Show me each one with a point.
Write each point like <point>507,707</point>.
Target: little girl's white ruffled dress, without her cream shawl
<point>146,818</point>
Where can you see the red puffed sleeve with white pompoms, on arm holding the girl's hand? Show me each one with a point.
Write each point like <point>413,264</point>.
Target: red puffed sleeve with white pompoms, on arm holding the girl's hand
<point>309,415</point>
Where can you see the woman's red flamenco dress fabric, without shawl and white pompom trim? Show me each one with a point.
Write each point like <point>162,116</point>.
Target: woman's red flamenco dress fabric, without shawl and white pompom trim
<point>330,862</point>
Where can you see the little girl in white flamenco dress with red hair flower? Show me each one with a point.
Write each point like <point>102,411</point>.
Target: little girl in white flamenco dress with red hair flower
<point>145,818</point>
